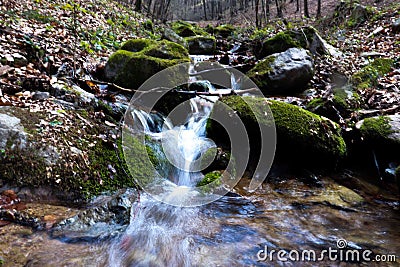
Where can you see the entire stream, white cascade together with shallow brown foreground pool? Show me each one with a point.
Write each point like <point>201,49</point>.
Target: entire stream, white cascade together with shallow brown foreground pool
<point>287,213</point>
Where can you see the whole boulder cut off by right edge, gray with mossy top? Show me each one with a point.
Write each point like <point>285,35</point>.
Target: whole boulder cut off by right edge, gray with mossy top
<point>382,134</point>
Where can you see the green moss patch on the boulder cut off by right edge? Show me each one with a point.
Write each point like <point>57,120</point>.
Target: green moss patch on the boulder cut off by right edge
<point>376,129</point>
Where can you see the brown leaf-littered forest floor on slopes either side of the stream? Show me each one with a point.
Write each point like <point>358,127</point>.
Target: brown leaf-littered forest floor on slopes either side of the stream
<point>43,41</point>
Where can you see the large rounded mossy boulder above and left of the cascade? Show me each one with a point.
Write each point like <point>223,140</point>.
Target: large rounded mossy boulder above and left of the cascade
<point>139,59</point>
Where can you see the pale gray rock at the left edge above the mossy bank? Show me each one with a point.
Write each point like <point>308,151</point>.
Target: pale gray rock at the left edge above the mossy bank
<point>12,134</point>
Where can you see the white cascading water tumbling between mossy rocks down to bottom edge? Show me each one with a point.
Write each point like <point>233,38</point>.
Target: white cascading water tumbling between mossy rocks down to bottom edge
<point>160,234</point>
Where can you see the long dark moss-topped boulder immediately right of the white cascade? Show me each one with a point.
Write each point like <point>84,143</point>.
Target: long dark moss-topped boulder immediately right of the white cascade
<point>302,137</point>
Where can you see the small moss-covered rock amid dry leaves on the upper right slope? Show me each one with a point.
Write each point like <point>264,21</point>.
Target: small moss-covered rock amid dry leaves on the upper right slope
<point>368,76</point>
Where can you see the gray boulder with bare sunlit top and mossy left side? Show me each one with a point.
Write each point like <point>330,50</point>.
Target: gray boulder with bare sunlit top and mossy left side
<point>284,73</point>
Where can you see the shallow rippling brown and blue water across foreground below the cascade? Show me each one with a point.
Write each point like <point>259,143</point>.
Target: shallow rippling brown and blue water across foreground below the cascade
<point>229,232</point>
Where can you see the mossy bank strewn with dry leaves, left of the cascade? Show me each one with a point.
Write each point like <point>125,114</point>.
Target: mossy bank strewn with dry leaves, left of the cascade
<point>99,167</point>
